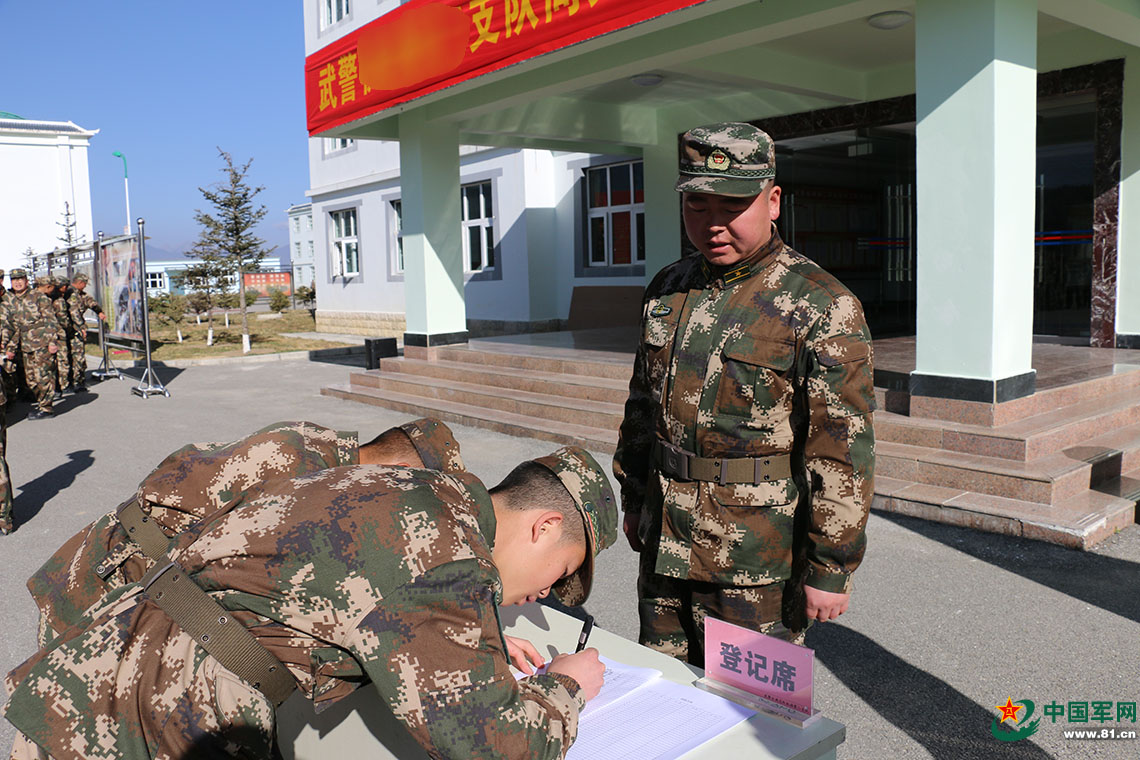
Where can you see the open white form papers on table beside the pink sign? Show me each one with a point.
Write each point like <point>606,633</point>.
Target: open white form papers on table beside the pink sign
<point>649,718</point>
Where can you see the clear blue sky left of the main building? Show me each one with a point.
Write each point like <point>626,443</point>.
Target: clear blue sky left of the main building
<point>167,84</point>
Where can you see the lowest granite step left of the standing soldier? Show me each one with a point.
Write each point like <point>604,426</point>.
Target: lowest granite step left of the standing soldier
<point>595,439</point>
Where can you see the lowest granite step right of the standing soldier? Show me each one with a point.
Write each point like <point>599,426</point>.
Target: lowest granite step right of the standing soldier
<point>1113,517</point>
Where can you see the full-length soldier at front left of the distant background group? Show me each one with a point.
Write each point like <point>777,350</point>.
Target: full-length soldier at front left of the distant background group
<point>35,333</point>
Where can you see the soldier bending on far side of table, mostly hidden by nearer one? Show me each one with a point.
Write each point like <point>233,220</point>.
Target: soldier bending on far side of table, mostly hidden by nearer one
<point>199,483</point>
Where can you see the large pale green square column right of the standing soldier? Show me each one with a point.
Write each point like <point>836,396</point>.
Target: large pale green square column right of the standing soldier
<point>976,141</point>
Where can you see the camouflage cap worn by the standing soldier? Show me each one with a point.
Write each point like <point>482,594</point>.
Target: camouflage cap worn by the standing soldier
<point>727,159</point>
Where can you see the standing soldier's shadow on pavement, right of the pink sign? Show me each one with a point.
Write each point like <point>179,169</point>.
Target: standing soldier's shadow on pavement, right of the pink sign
<point>947,723</point>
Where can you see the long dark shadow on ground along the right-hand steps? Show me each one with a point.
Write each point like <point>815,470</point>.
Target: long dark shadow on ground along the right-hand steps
<point>1093,578</point>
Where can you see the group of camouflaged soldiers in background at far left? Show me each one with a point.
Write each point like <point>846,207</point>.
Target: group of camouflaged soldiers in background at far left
<point>43,344</point>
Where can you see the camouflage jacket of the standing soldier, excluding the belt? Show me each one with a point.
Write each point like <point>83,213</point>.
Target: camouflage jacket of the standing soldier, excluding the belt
<point>772,357</point>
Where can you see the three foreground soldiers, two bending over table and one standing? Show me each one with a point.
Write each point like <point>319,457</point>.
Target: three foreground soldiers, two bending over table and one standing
<point>746,461</point>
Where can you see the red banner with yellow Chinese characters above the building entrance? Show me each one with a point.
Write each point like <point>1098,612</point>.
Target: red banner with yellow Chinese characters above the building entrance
<point>427,46</point>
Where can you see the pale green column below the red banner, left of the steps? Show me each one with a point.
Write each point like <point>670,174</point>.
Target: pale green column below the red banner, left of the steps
<point>433,244</point>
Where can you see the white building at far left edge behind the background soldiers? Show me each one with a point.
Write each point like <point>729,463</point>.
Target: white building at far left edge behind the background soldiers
<point>44,166</point>
